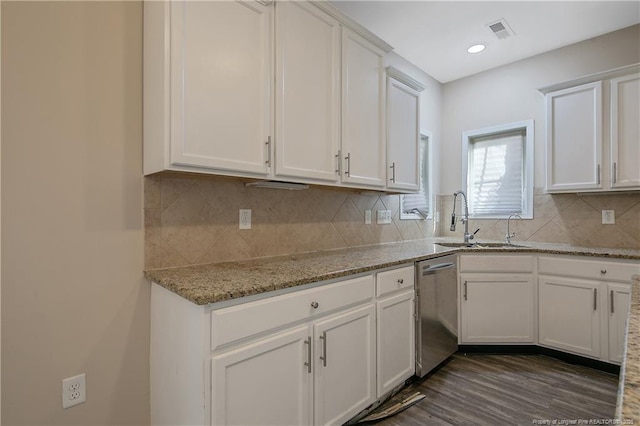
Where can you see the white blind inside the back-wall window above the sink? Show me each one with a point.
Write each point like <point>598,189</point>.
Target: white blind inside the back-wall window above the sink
<point>496,174</point>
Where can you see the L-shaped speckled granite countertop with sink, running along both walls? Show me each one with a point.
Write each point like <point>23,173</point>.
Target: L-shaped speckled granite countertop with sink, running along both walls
<point>218,282</point>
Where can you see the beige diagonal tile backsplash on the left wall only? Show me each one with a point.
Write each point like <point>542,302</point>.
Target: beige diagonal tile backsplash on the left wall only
<point>195,220</point>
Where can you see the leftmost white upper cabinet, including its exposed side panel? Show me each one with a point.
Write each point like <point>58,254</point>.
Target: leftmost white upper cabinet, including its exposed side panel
<point>207,85</point>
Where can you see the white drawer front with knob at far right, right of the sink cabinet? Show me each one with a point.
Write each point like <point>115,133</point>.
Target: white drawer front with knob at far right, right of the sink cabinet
<point>591,268</point>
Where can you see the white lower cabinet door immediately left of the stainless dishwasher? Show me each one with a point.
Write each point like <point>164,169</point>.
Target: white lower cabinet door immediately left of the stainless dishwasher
<point>395,340</point>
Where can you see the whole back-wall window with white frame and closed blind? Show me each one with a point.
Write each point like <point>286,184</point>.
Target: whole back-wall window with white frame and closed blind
<point>497,168</point>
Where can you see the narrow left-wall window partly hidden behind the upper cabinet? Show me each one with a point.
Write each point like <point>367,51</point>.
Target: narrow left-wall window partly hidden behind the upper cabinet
<point>418,205</point>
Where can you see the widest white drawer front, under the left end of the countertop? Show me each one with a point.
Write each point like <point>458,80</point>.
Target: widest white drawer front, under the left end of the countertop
<point>249,319</point>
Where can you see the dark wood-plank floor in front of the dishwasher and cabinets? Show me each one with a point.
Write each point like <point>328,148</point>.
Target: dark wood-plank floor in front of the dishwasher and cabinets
<point>480,389</point>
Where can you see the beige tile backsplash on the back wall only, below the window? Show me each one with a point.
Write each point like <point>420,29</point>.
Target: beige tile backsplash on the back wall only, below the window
<point>562,218</point>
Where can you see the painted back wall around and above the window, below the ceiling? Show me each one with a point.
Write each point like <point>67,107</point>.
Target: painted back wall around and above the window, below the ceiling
<point>509,93</point>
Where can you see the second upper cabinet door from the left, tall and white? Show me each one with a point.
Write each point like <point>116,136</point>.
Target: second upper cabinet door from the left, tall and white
<point>307,92</point>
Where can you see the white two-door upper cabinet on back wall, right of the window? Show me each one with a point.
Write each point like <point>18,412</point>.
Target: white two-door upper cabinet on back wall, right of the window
<point>593,138</point>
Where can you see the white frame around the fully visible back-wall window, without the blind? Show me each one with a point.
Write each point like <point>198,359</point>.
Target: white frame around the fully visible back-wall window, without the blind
<point>528,163</point>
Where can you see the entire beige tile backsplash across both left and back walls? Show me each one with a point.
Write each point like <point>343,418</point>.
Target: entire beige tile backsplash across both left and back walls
<point>194,220</point>
